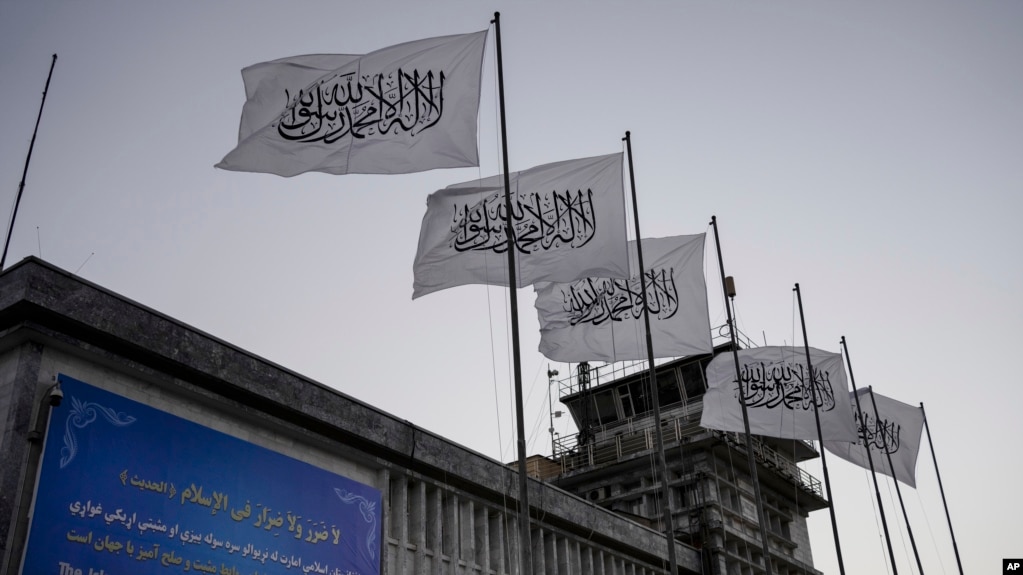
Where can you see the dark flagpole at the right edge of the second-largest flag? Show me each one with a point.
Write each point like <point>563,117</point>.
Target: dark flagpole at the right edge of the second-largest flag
<point>670,525</point>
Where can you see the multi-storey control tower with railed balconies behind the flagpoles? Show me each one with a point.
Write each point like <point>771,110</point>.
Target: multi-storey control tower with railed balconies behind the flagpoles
<point>613,460</point>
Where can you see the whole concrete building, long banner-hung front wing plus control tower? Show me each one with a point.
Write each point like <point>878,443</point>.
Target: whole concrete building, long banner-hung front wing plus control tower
<point>188,417</point>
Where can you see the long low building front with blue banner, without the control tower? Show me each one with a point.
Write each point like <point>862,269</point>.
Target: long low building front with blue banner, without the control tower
<point>226,425</point>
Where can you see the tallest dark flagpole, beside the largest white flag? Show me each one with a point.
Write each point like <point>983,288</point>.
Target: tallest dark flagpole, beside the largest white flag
<point>525,546</point>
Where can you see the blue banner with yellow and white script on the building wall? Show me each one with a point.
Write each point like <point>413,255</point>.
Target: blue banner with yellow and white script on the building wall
<point>127,489</point>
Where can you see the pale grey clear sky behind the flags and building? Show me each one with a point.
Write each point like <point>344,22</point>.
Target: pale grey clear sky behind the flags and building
<point>871,152</point>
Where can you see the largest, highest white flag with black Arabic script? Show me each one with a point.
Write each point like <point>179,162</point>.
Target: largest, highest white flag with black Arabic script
<point>405,109</point>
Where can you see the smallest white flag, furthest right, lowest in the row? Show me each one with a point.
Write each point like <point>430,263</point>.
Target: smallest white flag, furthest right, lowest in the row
<point>895,429</point>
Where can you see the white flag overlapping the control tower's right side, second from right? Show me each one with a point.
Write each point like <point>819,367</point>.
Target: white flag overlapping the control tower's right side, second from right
<point>779,394</point>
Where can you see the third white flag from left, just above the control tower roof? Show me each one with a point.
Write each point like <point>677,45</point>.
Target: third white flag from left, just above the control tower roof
<point>602,319</point>
